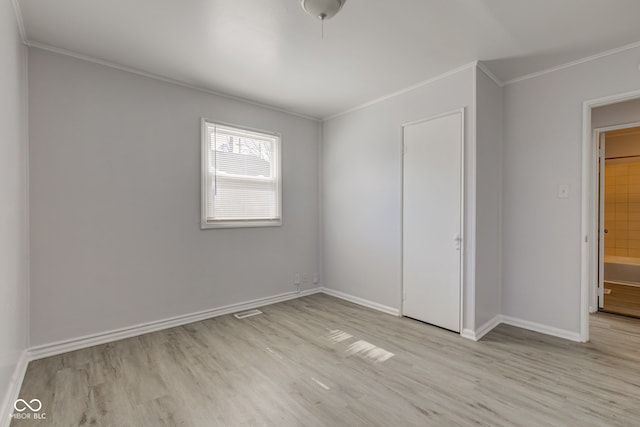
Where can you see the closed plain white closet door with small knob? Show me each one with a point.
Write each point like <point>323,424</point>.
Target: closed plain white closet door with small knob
<point>432,220</point>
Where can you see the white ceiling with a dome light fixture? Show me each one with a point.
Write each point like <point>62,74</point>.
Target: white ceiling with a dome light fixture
<point>271,52</point>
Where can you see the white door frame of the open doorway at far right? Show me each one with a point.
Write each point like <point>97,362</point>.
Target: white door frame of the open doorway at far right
<point>589,220</point>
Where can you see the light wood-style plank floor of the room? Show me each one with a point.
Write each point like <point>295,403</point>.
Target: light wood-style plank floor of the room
<point>292,366</point>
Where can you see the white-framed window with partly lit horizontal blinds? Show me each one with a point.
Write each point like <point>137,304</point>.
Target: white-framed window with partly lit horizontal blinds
<point>241,184</point>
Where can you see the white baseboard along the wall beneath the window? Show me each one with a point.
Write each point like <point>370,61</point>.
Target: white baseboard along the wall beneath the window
<point>52,349</point>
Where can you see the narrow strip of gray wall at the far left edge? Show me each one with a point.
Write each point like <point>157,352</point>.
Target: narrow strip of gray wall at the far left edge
<point>13,200</point>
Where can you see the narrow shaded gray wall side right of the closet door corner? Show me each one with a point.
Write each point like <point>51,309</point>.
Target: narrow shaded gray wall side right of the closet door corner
<point>489,198</point>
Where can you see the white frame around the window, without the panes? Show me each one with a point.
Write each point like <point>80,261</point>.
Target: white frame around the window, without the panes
<point>205,223</point>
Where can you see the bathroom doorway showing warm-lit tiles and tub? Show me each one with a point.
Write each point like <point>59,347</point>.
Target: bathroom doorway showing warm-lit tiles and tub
<point>619,220</point>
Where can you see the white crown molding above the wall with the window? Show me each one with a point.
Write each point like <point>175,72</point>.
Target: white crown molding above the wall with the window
<point>65,52</point>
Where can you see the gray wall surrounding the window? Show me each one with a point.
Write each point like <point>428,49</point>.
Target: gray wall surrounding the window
<point>115,202</point>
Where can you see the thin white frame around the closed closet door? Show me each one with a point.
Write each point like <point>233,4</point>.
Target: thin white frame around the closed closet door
<point>463,233</point>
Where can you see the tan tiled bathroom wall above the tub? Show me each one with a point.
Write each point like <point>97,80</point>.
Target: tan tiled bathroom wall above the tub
<point>622,207</point>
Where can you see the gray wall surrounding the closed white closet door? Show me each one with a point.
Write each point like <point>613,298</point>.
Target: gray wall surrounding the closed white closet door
<point>361,189</point>
